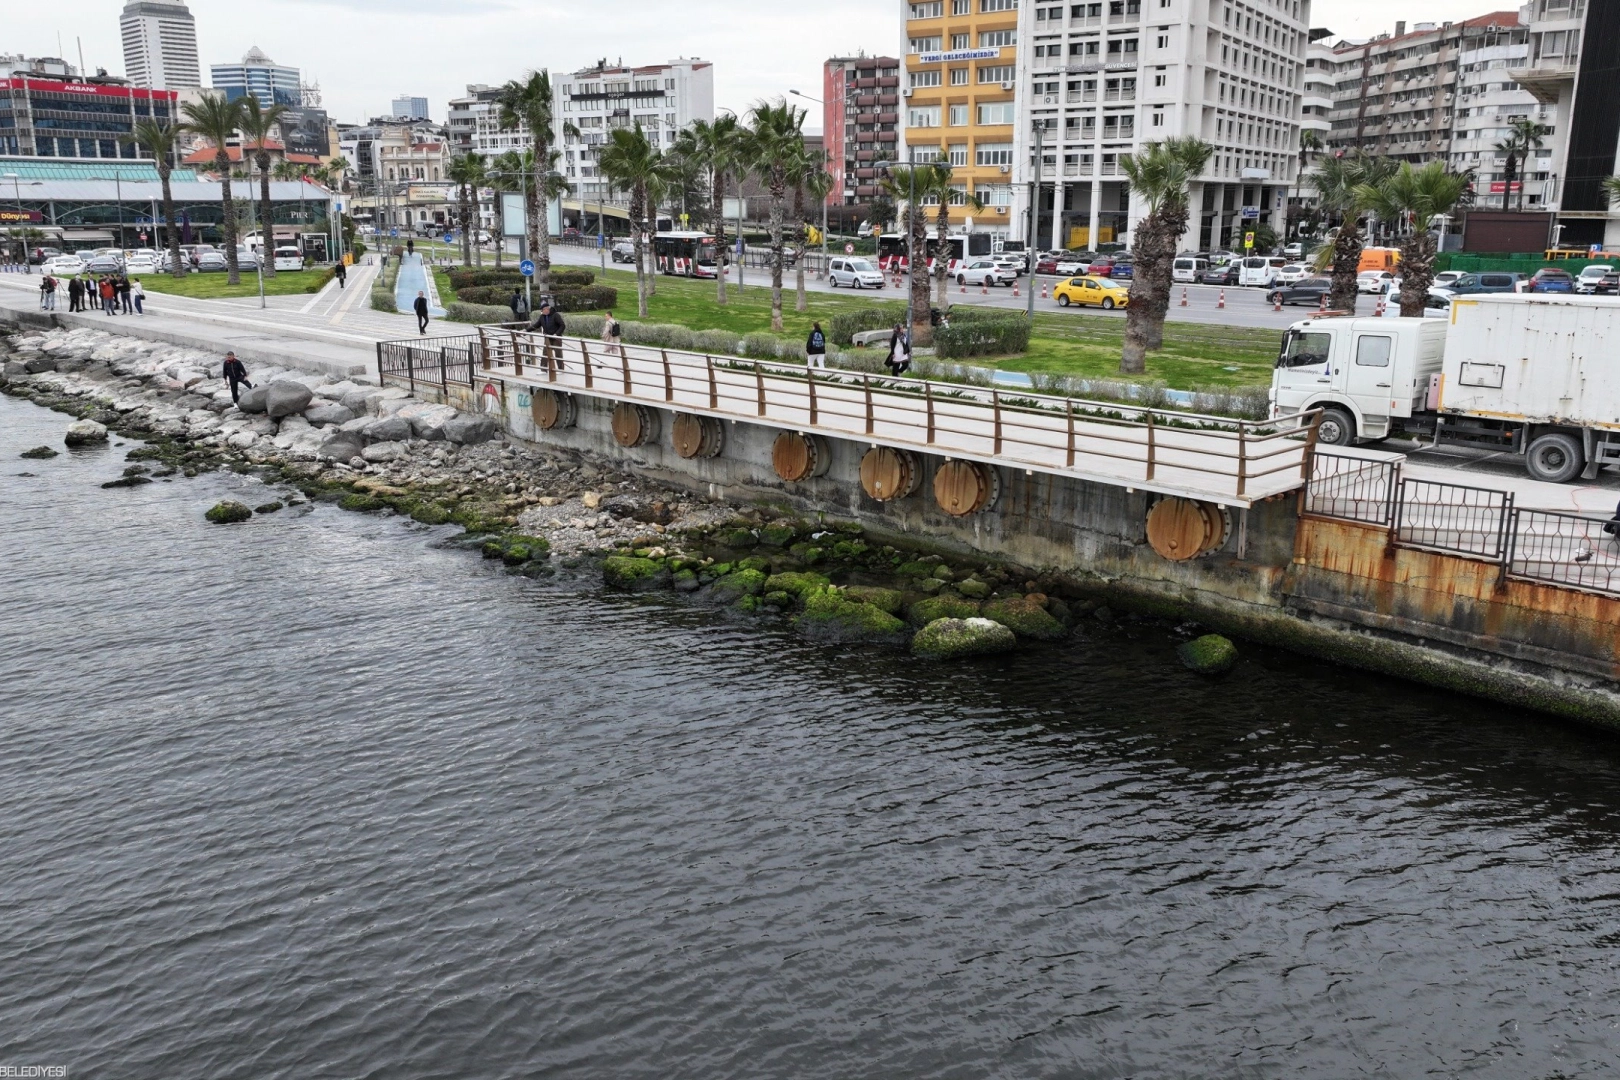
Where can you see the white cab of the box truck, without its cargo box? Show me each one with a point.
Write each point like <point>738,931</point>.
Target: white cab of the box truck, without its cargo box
<point>1366,375</point>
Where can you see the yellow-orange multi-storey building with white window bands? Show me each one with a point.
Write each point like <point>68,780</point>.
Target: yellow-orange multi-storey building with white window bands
<point>960,100</point>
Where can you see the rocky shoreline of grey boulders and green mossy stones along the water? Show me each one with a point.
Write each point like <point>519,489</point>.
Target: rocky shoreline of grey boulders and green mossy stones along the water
<point>377,449</point>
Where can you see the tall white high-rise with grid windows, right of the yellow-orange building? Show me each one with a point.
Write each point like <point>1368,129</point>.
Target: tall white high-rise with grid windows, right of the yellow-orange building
<point>1101,80</point>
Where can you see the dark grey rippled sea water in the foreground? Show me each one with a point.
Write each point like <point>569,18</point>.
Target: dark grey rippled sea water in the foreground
<point>313,797</point>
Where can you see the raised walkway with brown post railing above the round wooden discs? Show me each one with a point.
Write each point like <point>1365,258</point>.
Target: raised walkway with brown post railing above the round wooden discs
<point>1204,457</point>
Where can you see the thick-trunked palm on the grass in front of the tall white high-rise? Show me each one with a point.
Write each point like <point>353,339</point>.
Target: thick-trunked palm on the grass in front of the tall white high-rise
<point>1159,176</point>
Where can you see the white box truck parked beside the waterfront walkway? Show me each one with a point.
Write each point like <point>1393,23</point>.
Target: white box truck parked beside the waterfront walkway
<point>1537,376</point>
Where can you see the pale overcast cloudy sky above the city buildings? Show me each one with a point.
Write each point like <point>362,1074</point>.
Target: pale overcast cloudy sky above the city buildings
<point>367,51</point>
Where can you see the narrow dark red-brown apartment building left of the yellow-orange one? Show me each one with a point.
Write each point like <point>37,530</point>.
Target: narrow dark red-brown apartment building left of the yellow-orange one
<point>861,122</point>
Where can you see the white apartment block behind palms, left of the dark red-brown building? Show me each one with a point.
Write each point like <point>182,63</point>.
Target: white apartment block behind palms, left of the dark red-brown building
<point>662,100</point>
